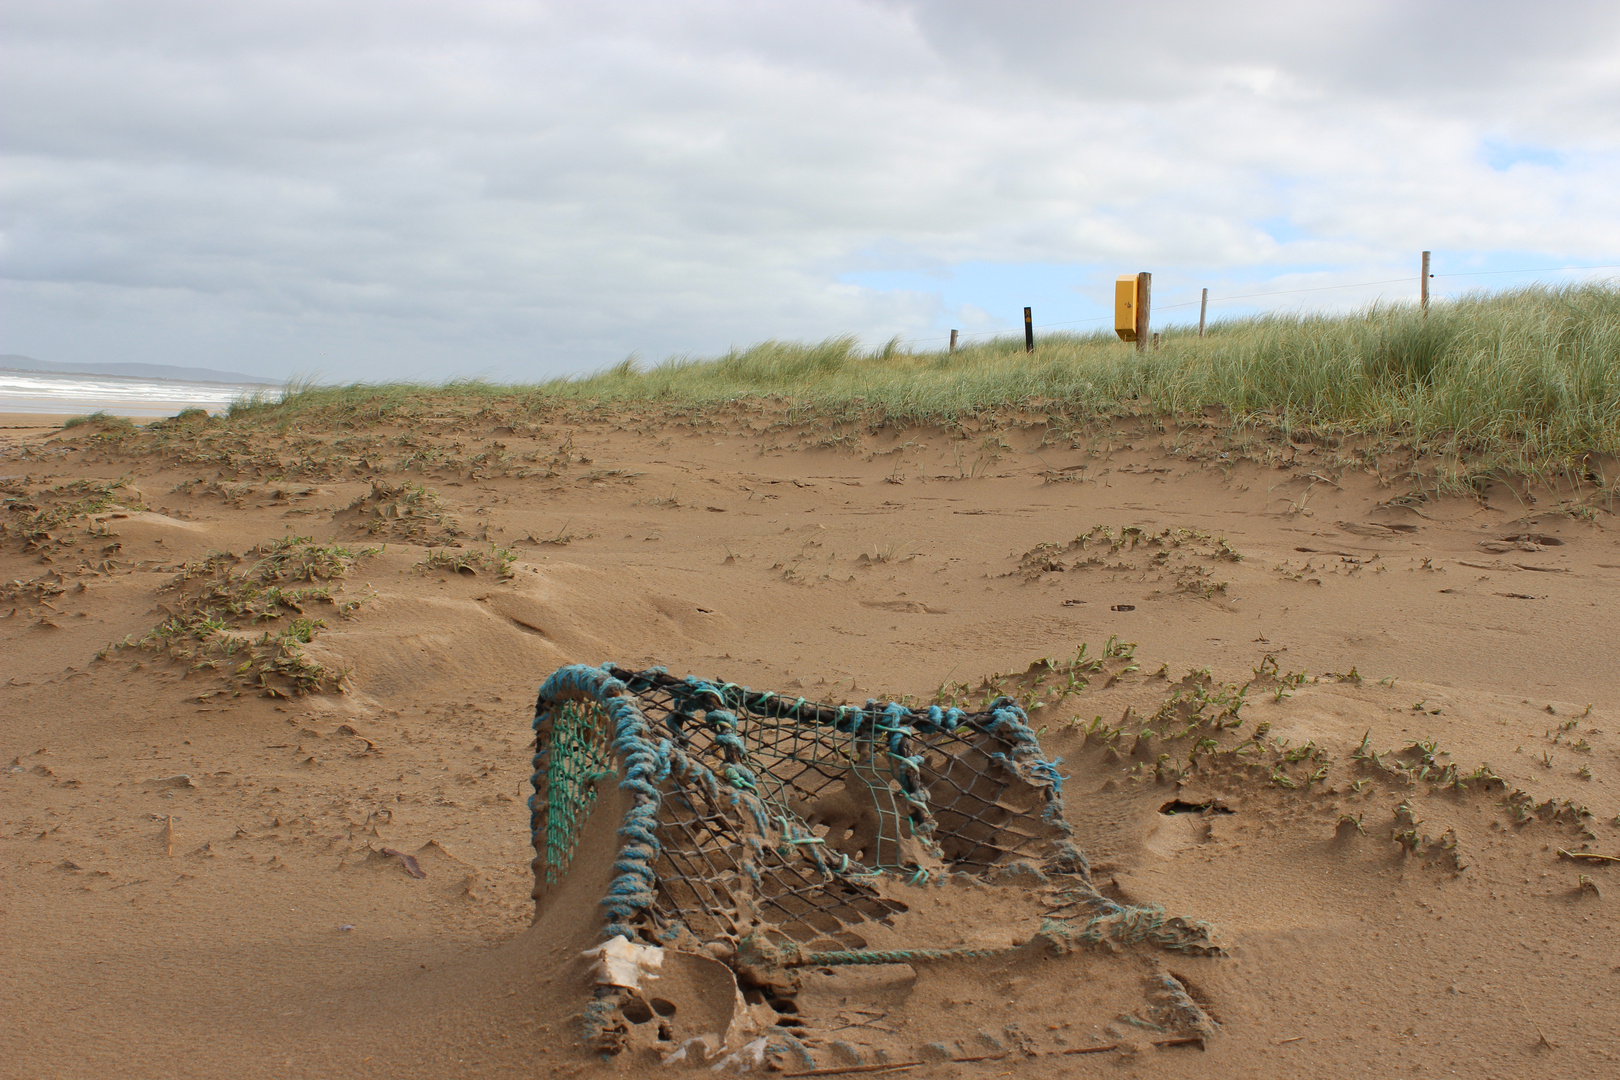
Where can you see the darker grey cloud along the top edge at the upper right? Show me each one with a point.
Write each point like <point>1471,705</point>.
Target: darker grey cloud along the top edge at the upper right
<point>1172,48</point>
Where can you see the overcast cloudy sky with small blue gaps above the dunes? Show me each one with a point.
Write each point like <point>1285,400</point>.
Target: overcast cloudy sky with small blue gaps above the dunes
<point>398,189</point>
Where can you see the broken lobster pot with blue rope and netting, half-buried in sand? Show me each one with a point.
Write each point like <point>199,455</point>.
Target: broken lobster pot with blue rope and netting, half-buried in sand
<point>761,836</point>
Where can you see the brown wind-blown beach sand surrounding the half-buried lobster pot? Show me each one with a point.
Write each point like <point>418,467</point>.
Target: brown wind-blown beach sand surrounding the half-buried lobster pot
<point>195,882</point>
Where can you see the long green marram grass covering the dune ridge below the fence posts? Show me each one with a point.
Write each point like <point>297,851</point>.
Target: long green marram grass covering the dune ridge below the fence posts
<point>1524,380</point>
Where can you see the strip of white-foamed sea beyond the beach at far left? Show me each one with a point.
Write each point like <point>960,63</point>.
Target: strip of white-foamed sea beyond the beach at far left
<point>79,394</point>
